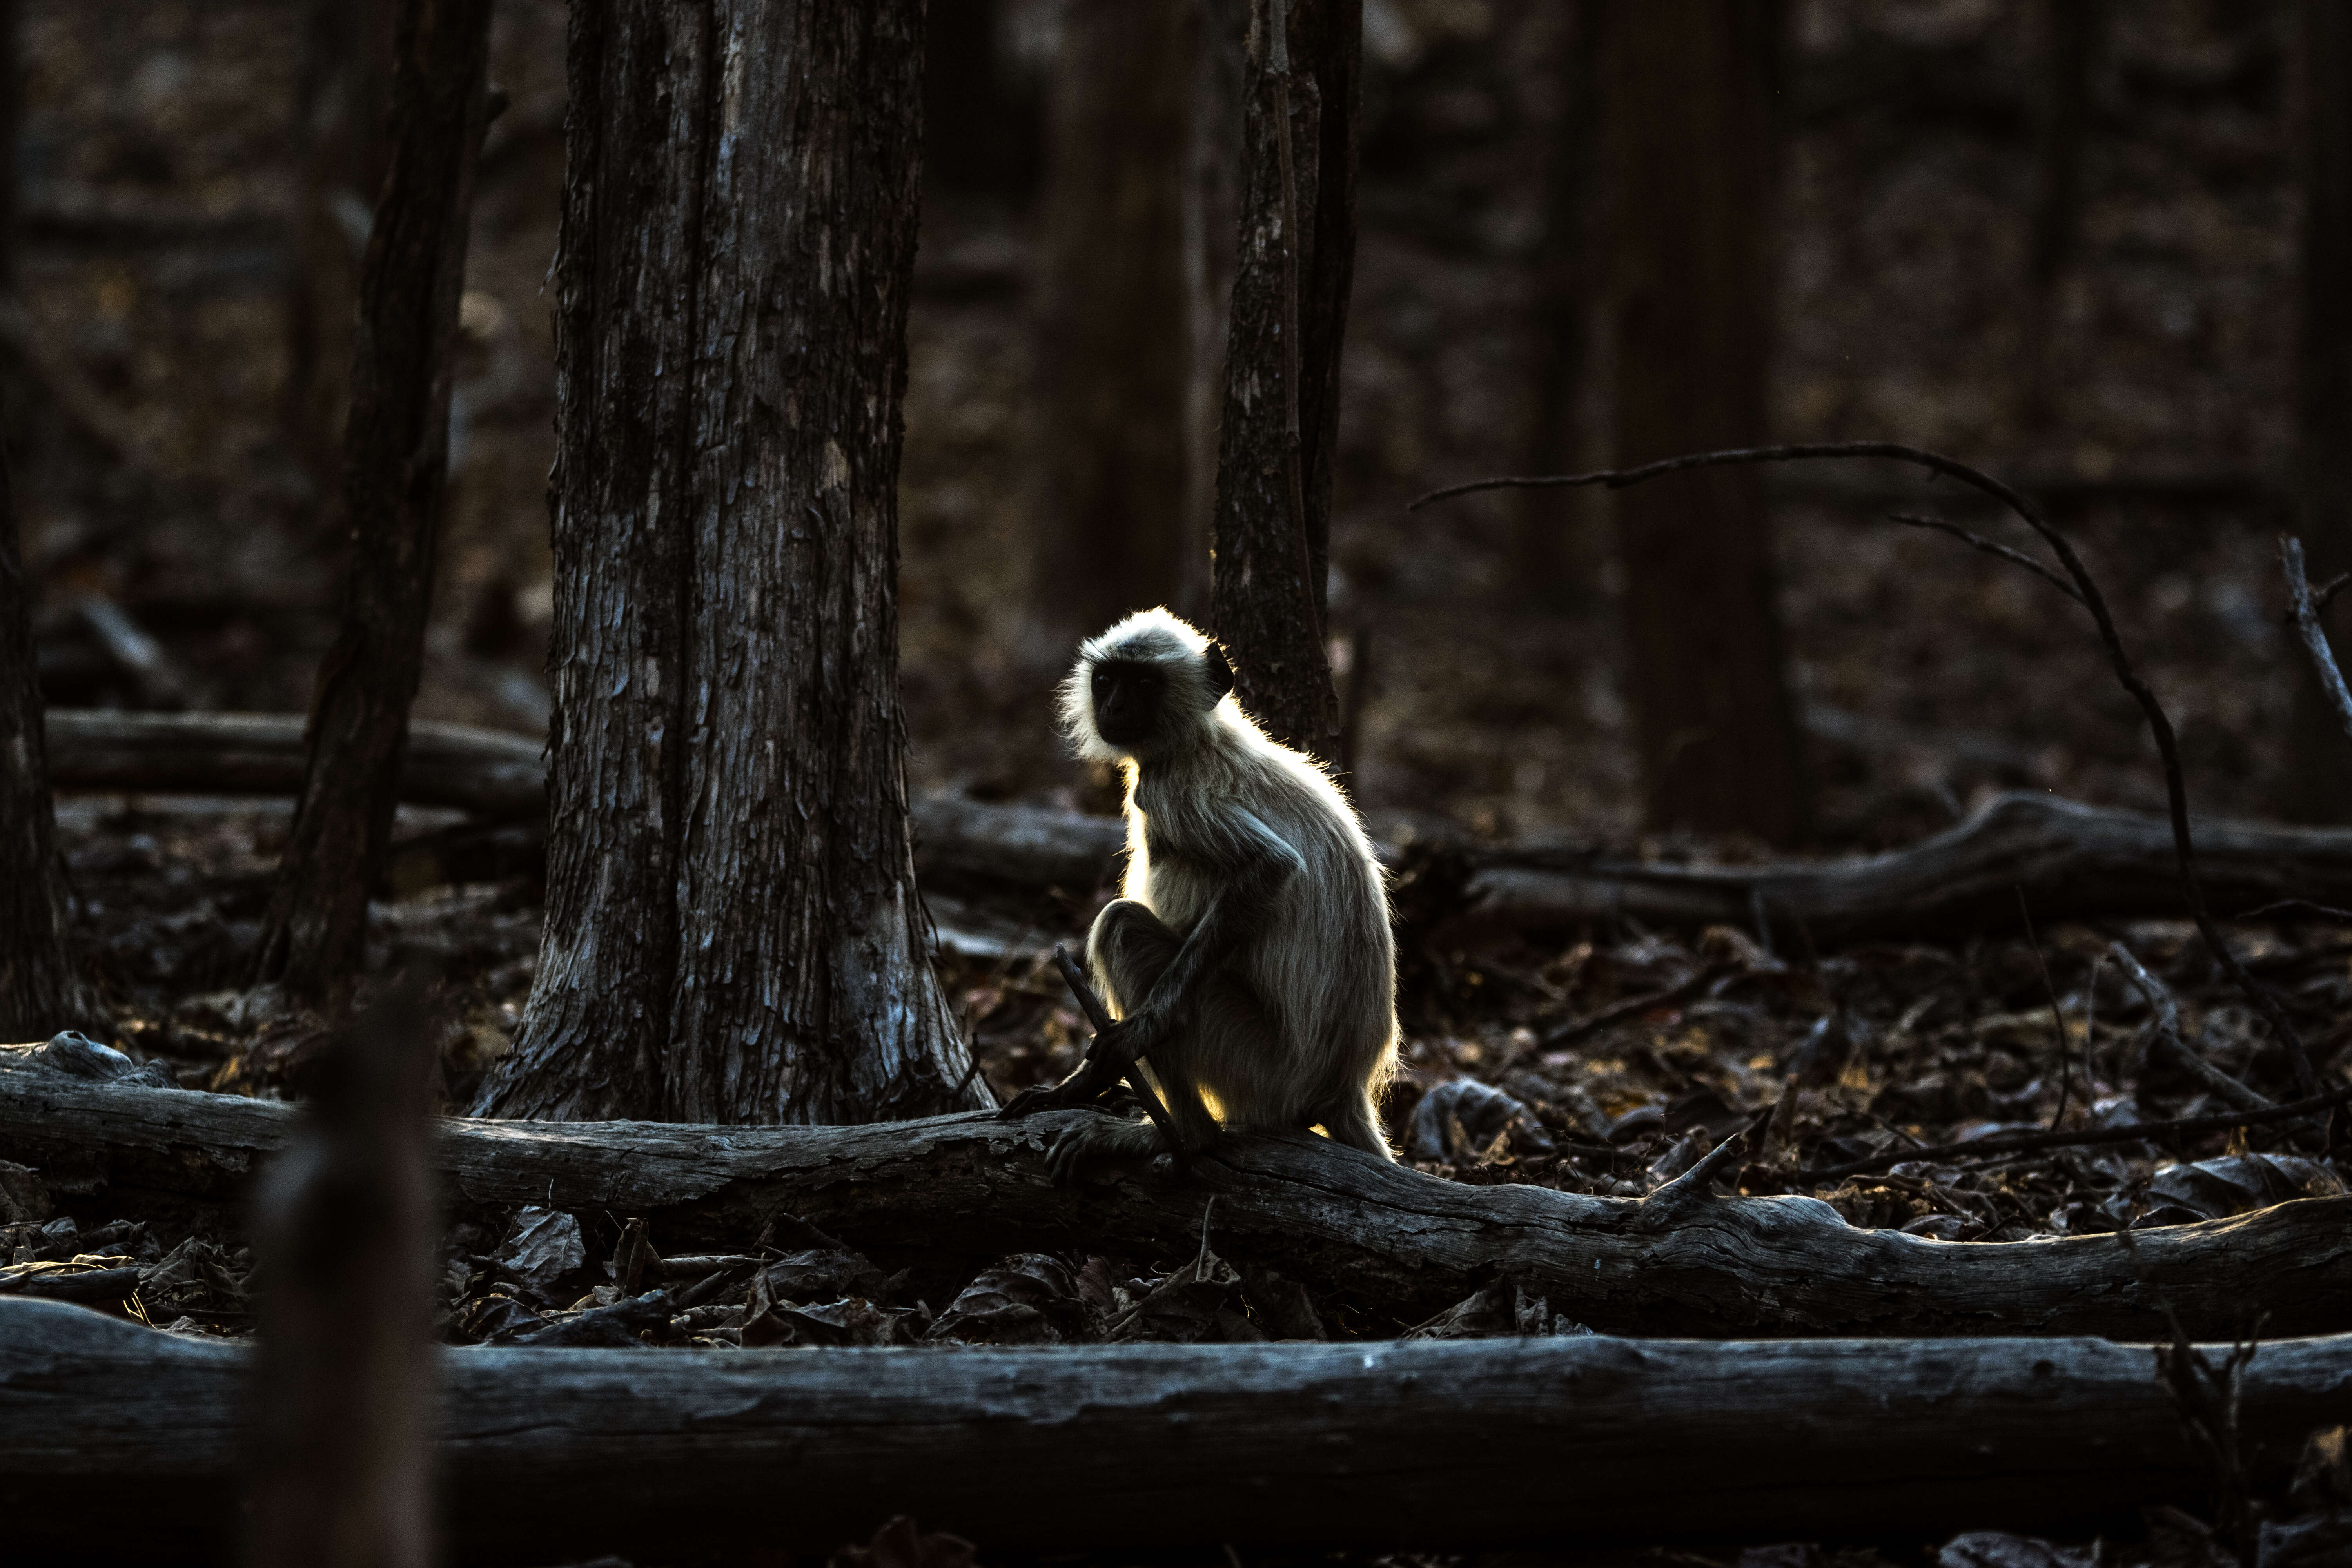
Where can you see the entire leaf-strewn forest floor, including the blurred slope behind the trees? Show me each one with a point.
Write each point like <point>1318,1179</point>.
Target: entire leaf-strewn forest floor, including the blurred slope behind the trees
<point>2146,394</point>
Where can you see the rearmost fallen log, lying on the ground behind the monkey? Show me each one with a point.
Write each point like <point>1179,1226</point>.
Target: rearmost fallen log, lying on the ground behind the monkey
<point>2069,859</point>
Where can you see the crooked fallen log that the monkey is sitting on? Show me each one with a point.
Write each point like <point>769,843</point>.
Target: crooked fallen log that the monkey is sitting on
<point>1387,1238</point>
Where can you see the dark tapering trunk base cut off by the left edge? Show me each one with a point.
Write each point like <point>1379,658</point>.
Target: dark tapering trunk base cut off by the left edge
<point>39,986</point>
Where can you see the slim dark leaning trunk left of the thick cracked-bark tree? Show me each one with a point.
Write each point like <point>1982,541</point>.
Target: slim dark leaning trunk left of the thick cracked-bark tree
<point>396,460</point>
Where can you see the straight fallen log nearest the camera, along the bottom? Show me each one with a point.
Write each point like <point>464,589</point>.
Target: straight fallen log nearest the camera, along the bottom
<point>119,1440</point>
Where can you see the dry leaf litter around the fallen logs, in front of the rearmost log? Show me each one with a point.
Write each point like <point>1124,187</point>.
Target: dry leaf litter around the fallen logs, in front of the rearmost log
<point>1864,1052</point>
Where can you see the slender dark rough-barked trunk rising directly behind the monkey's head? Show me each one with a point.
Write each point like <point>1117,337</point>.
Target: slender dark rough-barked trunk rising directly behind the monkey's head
<point>1283,354</point>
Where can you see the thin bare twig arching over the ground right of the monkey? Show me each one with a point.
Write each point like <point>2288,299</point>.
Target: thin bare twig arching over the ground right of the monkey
<point>2160,725</point>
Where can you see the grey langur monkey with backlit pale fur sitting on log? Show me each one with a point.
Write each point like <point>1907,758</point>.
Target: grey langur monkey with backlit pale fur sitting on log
<point>1250,963</point>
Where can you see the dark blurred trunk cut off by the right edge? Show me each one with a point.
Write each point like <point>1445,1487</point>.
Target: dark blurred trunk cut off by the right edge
<point>2320,786</point>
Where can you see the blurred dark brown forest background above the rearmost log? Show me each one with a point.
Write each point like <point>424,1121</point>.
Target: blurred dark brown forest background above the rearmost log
<point>2057,241</point>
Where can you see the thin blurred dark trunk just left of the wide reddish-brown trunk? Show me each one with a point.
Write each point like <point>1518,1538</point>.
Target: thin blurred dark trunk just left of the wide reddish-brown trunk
<point>1558,549</point>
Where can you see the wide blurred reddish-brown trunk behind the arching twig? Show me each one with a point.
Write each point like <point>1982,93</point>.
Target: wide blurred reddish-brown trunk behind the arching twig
<point>1690,133</point>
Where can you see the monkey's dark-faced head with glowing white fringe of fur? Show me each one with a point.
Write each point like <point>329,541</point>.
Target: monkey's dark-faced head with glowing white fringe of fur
<point>1144,688</point>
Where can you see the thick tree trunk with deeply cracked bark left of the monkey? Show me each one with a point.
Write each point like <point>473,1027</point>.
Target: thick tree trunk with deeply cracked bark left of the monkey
<point>733,923</point>
